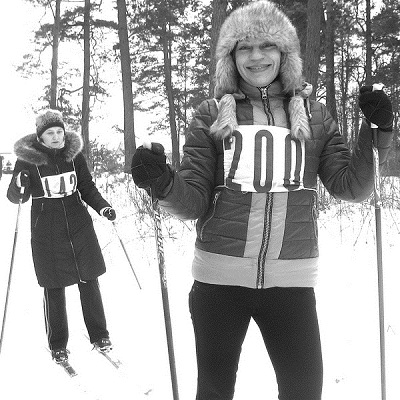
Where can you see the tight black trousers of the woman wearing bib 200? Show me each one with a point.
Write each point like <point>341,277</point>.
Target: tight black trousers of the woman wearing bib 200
<point>288,322</point>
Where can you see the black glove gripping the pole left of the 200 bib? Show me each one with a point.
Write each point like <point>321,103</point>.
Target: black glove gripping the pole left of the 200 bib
<point>149,169</point>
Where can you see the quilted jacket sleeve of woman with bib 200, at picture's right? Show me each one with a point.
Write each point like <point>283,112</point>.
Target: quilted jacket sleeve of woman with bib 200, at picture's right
<point>350,175</point>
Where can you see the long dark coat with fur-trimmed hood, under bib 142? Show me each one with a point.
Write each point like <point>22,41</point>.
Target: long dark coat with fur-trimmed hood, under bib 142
<point>65,248</point>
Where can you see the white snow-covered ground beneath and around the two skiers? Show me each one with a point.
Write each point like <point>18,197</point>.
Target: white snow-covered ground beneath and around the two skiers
<point>346,294</point>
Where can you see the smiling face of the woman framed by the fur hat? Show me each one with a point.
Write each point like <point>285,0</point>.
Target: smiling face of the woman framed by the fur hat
<point>258,61</point>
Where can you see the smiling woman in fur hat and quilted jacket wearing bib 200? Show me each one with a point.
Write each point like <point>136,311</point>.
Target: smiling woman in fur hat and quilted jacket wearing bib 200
<point>249,176</point>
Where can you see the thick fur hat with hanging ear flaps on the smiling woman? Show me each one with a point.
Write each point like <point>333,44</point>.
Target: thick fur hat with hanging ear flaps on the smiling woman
<point>263,20</point>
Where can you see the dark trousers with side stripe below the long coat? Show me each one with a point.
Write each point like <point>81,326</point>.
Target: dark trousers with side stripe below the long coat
<point>55,313</point>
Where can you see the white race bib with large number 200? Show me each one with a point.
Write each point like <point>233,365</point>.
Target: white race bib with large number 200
<point>260,158</point>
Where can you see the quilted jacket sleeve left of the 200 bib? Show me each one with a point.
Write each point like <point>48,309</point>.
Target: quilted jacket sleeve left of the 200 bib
<point>193,184</point>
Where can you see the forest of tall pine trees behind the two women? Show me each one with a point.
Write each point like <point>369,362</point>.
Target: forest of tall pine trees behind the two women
<point>120,70</point>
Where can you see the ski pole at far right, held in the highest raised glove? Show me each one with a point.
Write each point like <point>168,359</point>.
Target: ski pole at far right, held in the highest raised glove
<point>378,224</point>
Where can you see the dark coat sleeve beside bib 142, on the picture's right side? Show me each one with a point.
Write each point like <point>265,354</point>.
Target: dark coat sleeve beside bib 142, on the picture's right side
<point>86,186</point>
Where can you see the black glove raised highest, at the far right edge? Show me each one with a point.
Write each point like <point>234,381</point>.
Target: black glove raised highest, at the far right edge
<point>377,107</point>
